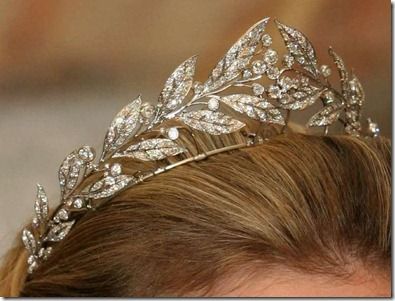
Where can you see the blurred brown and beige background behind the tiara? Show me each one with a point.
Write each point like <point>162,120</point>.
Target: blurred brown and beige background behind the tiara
<point>66,67</point>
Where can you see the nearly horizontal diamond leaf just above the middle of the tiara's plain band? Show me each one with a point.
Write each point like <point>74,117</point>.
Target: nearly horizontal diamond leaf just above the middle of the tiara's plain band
<point>152,150</point>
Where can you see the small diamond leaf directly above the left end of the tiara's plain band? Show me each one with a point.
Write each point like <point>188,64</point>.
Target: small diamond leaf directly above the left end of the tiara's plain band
<point>108,186</point>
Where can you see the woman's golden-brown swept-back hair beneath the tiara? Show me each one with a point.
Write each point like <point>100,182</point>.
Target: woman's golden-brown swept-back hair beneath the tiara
<point>316,204</point>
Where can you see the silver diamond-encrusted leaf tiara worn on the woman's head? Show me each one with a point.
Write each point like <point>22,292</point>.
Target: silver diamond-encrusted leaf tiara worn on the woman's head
<point>272,86</point>
